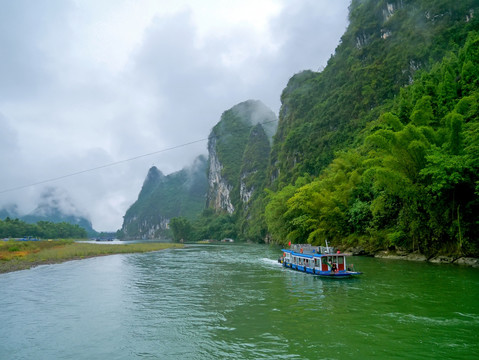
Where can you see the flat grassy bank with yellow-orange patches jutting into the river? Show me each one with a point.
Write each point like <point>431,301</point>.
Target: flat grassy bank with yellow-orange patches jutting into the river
<point>16,255</point>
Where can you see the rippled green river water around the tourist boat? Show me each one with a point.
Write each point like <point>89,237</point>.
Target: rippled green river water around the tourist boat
<point>234,301</point>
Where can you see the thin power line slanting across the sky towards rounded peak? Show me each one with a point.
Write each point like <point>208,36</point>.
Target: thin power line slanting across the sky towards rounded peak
<point>113,163</point>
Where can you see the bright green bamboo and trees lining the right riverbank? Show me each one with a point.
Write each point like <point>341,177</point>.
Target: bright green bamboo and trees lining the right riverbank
<point>412,180</point>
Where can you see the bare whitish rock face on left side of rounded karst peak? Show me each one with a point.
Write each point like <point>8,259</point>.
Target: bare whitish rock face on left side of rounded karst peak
<point>218,188</point>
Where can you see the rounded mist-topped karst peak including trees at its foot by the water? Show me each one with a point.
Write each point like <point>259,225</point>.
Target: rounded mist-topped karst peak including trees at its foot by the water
<point>240,143</point>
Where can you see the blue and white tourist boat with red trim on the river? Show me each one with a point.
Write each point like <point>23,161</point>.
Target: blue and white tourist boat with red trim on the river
<point>323,261</point>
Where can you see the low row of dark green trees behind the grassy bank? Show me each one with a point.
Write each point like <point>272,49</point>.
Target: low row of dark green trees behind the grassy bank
<point>15,228</point>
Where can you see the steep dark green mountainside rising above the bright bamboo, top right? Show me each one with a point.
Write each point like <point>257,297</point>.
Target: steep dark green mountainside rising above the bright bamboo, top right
<point>386,43</point>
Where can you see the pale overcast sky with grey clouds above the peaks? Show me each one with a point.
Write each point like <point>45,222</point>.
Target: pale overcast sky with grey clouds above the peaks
<point>86,83</point>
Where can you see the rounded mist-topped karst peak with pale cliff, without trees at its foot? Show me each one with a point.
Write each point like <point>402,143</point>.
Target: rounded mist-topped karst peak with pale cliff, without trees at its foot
<point>233,154</point>
